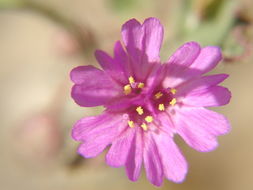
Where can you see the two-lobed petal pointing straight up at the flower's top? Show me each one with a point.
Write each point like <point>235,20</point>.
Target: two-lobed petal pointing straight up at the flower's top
<point>143,43</point>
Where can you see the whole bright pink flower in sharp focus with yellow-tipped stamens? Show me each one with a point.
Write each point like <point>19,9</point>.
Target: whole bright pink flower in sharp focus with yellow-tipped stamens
<point>147,103</point>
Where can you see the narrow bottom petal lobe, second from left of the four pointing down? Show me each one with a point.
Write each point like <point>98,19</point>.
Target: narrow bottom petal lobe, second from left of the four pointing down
<point>134,159</point>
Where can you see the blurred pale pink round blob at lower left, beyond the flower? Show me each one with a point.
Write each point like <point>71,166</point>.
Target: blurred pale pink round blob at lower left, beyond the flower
<point>39,138</point>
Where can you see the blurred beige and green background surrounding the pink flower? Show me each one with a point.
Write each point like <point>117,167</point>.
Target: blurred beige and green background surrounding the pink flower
<point>42,40</point>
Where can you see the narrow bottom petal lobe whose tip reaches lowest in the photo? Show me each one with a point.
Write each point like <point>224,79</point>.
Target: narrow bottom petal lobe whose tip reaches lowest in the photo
<point>152,161</point>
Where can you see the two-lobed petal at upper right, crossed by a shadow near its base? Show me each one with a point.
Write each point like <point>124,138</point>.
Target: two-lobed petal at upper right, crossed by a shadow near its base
<point>196,62</point>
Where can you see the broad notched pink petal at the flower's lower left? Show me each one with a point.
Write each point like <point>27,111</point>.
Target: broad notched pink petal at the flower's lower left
<point>97,132</point>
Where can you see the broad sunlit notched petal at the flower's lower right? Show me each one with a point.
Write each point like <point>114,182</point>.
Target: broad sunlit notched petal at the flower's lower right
<point>199,127</point>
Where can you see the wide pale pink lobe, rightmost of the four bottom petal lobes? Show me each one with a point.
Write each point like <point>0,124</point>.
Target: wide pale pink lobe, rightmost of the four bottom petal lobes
<point>174,164</point>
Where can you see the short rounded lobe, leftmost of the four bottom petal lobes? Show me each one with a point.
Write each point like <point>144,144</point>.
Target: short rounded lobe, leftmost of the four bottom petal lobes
<point>118,153</point>
